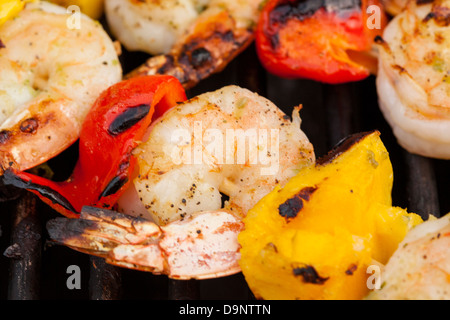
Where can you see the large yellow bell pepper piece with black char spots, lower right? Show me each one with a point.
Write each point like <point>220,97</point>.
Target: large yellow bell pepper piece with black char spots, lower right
<point>316,237</point>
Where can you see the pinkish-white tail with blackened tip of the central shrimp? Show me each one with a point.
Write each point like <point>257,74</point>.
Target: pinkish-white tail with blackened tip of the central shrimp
<point>201,246</point>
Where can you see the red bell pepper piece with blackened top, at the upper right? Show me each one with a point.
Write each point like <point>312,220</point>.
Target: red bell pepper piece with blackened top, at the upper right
<point>323,40</point>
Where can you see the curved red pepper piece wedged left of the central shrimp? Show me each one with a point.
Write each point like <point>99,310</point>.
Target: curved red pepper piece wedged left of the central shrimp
<point>115,125</point>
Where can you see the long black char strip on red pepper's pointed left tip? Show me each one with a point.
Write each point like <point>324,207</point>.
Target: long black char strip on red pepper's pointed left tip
<point>10,178</point>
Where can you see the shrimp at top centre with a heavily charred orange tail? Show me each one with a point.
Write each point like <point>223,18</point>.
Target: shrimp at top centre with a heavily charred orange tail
<point>190,39</point>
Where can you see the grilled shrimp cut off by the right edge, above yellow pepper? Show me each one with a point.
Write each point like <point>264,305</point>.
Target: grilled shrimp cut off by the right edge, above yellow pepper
<point>413,81</point>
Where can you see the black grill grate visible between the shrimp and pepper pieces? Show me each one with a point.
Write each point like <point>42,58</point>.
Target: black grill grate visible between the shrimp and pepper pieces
<point>33,268</point>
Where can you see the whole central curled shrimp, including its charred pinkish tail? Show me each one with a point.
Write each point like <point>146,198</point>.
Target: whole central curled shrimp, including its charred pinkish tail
<point>173,219</point>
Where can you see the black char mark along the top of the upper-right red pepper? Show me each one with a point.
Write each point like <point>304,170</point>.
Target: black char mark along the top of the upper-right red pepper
<point>303,9</point>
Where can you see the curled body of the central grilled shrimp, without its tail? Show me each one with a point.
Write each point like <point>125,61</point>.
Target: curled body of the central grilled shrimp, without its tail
<point>231,142</point>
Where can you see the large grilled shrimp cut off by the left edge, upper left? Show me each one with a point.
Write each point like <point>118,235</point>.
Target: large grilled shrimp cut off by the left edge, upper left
<point>50,76</point>
